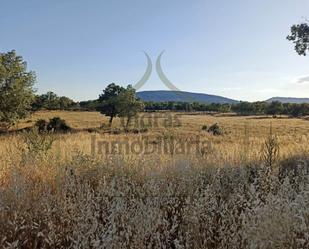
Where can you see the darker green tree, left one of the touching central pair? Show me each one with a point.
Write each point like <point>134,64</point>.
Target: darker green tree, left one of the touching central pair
<point>109,101</point>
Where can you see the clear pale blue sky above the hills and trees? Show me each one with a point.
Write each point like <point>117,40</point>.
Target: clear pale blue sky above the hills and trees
<point>236,49</point>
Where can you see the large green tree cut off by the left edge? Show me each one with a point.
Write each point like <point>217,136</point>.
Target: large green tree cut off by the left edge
<point>16,88</point>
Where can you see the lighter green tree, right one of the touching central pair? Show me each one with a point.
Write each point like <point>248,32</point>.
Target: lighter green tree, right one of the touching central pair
<point>129,104</point>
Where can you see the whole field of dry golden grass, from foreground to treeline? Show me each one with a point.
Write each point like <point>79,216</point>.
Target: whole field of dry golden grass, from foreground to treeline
<point>247,188</point>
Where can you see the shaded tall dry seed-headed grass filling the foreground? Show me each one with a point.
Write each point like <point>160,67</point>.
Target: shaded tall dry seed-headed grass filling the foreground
<point>91,204</point>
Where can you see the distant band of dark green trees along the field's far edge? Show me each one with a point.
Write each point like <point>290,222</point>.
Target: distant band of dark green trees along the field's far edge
<point>51,101</point>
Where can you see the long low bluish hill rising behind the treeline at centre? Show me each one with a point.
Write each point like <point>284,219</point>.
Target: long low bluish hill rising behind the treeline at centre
<point>179,96</point>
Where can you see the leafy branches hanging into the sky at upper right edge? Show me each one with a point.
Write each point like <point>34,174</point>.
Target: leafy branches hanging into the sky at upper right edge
<point>300,37</point>
